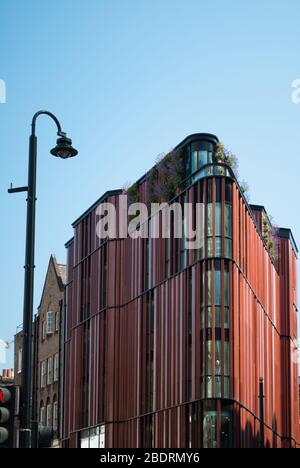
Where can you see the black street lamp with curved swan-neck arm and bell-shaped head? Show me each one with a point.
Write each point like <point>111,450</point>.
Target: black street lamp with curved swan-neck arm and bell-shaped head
<point>63,150</point>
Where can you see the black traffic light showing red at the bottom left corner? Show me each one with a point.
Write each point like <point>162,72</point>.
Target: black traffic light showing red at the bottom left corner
<point>7,413</point>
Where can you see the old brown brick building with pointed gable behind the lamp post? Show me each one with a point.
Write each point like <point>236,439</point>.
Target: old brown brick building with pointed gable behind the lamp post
<point>46,390</point>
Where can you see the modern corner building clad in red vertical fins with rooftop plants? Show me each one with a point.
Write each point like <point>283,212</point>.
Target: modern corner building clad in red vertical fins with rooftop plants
<point>169,347</point>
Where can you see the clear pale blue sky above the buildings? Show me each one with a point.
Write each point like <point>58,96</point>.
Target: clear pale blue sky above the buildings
<point>129,80</point>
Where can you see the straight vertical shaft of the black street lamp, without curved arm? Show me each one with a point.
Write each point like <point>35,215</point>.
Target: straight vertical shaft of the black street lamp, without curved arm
<point>25,435</point>
